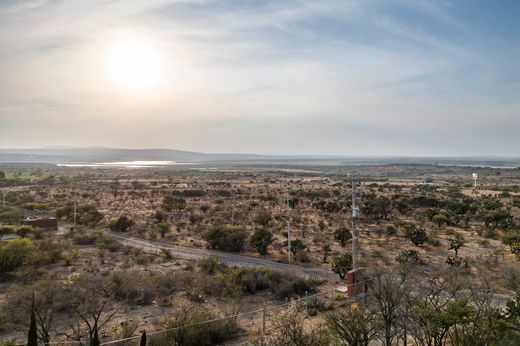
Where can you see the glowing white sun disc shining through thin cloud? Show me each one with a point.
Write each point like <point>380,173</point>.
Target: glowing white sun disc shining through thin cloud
<point>134,64</point>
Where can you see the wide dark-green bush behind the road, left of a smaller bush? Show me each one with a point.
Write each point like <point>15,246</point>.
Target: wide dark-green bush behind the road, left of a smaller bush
<point>226,238</point>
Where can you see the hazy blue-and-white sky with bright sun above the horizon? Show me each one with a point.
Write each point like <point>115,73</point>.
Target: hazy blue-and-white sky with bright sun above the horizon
<point>337,77</point>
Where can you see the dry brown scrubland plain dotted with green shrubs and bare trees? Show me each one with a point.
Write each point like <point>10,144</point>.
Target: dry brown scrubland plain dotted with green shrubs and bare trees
<point>465,246</point>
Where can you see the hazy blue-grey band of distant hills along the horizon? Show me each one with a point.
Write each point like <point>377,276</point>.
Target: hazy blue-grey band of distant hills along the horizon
<point>80,155</point>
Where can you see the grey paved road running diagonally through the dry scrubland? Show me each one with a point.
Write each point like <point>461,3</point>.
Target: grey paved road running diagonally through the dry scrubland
<point>238,260</point>
